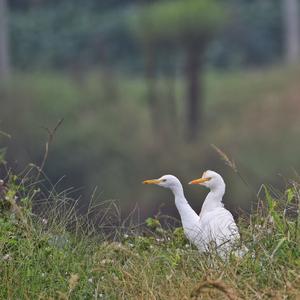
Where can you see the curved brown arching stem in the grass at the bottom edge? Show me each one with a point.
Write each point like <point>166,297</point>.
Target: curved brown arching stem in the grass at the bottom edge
<point>217,284</point>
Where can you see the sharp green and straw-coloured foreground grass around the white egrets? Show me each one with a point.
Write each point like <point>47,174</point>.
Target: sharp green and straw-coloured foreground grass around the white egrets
<point>54,253</point>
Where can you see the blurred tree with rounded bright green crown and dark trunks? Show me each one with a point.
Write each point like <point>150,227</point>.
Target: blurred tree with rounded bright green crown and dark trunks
<point>190,25</point>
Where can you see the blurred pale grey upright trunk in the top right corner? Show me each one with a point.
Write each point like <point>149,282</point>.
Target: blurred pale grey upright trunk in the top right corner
<point>292,30</point>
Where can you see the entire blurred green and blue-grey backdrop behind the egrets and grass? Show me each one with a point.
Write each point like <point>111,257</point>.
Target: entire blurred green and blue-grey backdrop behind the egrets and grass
<point>122,76</point>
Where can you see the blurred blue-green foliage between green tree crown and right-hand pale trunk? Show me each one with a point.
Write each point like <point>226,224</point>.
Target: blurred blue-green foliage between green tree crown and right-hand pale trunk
<point>252,37</point>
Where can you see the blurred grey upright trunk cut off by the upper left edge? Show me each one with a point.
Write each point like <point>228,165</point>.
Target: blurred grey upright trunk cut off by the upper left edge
<point>4,48</point>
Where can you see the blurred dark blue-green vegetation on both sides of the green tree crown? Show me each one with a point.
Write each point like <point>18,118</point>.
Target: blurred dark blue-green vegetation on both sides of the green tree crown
<point>65,34</point>
